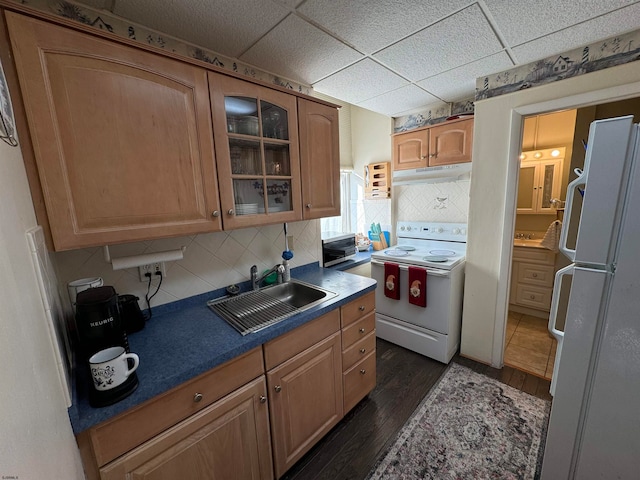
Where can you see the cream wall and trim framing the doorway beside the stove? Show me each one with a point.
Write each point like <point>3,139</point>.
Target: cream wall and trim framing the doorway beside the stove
<point>497,136</point>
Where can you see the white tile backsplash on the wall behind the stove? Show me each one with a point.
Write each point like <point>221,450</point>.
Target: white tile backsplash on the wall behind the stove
<point>433,202</point>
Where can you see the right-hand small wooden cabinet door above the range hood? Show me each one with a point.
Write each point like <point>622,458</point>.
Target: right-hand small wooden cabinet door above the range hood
<point>450,142</point>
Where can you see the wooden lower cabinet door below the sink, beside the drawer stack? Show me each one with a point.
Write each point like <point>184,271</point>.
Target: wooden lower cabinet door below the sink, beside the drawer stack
<point>306,400</point>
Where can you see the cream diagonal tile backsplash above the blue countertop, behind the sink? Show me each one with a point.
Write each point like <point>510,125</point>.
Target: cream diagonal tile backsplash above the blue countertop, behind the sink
<point>211,261</point>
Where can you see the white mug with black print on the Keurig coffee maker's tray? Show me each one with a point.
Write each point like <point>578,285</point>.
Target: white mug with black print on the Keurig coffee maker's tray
<point>110,367</point>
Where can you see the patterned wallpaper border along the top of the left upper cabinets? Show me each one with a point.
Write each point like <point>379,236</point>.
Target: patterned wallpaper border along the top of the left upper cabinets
<point>103,20</point>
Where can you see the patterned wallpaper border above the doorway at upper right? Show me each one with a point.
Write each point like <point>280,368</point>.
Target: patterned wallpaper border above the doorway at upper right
<point>607,53</point>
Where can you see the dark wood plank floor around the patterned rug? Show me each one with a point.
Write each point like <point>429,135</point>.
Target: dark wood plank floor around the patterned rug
<point>351,449</point>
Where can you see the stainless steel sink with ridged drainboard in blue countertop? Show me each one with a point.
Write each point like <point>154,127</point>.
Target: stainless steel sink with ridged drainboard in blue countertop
<point>252,311</point>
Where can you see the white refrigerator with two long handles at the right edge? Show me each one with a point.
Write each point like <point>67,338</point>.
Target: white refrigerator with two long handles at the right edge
<point>594,428</point>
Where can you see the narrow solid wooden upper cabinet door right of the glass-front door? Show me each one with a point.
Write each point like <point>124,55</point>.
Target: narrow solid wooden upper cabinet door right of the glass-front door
<point>319,159</point>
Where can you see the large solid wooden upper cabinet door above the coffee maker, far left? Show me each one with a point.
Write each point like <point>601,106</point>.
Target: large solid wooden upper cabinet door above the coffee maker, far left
<point>122,137</point>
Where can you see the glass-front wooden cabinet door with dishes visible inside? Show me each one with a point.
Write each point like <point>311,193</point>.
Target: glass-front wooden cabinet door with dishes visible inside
<point>257,152</point>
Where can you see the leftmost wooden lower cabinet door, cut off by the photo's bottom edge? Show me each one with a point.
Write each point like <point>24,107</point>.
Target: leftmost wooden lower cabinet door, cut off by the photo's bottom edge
<point>228,439</point>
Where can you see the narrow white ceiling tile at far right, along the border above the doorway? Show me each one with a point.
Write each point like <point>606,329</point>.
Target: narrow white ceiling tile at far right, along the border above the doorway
<point>577,36</point>
